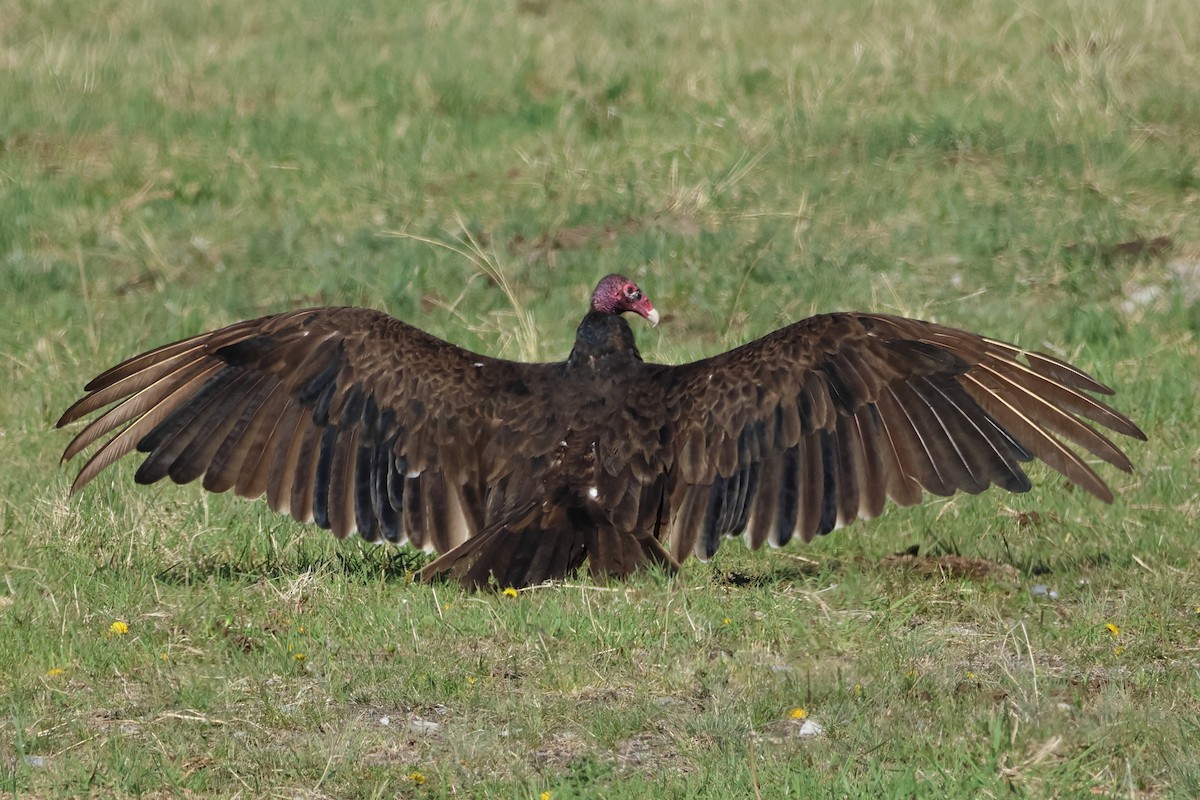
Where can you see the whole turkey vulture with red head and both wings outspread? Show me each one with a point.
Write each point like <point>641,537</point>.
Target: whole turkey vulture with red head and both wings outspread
<point>521,472</point>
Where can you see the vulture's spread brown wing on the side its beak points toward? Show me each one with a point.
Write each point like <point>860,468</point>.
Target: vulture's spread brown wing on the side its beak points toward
<point>820,423</point>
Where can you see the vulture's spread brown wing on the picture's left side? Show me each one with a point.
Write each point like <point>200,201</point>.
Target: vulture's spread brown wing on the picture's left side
<point>344,417</point>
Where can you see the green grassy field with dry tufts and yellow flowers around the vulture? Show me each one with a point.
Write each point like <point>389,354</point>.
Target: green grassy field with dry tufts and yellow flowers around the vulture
<point>1030,171</point>
